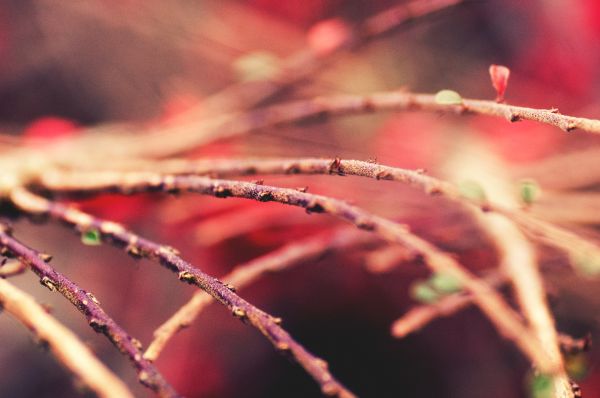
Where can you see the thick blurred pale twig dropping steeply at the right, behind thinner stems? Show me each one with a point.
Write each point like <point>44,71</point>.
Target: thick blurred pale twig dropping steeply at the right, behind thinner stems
<point>476,162</point>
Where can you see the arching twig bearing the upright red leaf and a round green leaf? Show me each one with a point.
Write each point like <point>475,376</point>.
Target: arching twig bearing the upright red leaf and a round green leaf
<point>163,143</point>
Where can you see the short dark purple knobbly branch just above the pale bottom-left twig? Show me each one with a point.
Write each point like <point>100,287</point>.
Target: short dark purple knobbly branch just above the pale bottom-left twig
<point>88,305</point>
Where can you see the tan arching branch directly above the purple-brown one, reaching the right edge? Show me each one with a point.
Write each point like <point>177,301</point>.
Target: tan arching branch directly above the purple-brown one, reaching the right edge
<point>579,248</point>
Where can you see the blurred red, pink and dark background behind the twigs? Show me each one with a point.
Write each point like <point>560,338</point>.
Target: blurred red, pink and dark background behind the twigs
<point>69,66</point>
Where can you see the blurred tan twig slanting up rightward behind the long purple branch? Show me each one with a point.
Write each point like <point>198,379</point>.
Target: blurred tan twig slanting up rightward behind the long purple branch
<point>281,259</point>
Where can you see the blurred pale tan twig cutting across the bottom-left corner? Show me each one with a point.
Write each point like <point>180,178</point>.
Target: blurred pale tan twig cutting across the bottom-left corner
<point>63,343</point>
